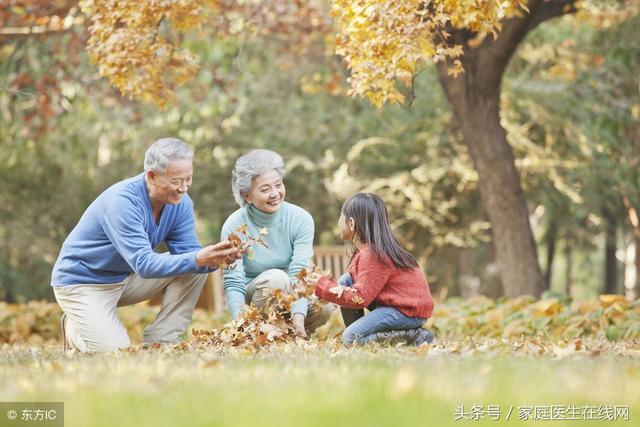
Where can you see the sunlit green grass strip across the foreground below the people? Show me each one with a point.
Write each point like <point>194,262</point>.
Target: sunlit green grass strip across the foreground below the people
<point>312,385</point>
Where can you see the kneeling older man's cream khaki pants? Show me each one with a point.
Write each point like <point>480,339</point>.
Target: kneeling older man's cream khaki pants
<point>92,323</point>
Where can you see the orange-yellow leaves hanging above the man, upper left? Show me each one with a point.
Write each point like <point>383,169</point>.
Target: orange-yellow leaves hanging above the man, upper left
<point>137,45</point>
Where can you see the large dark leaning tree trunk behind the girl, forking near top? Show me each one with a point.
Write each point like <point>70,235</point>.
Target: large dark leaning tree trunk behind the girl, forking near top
<point>475,97</point>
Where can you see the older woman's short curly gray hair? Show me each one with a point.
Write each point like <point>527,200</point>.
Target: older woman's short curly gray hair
<point>250,165</point>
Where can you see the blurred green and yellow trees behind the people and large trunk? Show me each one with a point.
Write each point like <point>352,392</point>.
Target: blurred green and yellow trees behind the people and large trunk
<point>269,77</point>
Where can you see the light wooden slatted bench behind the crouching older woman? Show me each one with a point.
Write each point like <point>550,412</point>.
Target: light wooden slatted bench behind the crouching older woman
<point>332,258</point>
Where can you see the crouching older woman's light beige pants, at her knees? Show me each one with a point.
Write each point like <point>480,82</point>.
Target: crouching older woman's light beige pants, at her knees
<point>259,293</point>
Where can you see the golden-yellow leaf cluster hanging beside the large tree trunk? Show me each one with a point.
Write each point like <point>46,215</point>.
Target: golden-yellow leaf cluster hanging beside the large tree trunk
<point>386,42</point>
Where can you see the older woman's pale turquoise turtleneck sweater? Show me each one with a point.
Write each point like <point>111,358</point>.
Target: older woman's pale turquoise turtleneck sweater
<point>290,239</point>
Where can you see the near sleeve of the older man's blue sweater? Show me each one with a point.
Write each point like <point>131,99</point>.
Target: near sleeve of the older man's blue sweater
<point>123,224</point>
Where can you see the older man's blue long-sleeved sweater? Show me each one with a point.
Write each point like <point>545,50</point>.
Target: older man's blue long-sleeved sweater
<point>117,234</point>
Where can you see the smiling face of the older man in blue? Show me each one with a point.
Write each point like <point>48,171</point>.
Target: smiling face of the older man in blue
<point>170,186</point>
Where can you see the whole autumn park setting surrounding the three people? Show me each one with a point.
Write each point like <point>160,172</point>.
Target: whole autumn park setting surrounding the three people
<point>557,217</point>
